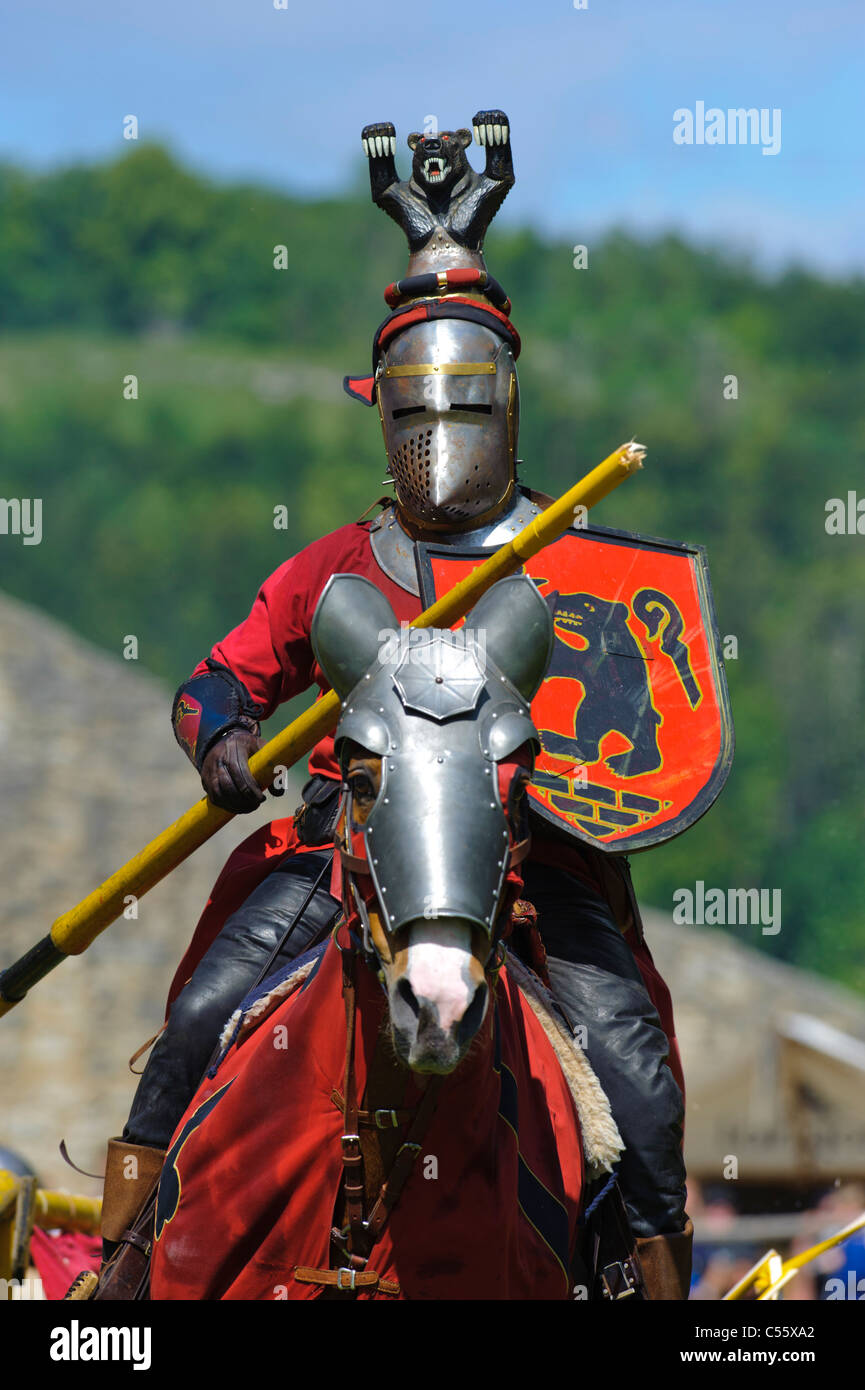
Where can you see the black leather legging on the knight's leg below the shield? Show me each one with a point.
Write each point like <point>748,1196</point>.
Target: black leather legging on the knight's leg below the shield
<point>599,985</point>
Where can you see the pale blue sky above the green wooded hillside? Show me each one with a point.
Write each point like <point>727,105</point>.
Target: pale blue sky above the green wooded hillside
<point>241,90</point>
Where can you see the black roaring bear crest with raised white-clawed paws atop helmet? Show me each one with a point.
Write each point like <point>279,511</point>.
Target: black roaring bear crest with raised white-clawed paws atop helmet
<point>446,206</point>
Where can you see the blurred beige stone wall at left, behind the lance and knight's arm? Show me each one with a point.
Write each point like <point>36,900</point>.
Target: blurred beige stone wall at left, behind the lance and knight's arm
<point>90,772</point>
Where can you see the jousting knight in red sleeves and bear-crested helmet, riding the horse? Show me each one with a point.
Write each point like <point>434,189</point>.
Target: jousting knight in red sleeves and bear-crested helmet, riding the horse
<point>444,384</point>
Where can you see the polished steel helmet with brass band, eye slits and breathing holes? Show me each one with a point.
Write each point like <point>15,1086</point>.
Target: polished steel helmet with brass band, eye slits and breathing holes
<point>448,401</point>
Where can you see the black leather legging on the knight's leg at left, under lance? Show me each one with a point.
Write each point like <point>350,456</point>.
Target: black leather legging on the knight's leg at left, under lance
<point>222,981</point>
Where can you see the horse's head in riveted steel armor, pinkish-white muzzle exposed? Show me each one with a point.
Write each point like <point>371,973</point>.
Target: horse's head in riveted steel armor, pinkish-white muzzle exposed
<point>442,722</point>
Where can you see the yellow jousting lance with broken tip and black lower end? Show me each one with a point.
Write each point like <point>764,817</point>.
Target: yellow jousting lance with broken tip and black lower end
<point>76,931</point>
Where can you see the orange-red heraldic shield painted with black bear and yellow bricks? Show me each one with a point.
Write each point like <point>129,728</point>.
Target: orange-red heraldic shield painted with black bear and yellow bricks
<point>635,715</point>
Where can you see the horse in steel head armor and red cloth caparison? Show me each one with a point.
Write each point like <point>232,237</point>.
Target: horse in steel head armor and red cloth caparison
<point>401,1113</point>
